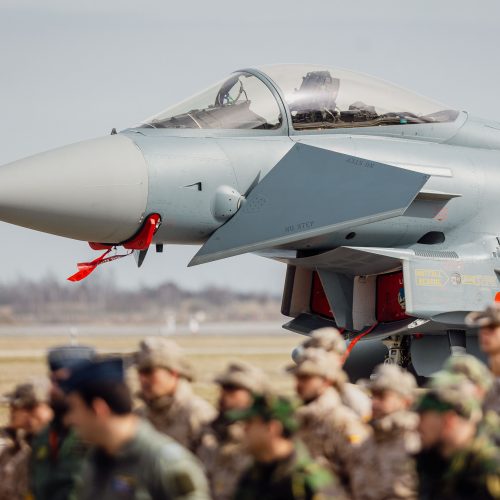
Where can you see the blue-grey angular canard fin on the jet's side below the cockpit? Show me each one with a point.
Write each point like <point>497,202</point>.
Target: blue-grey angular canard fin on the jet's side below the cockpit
<point>313,192</point>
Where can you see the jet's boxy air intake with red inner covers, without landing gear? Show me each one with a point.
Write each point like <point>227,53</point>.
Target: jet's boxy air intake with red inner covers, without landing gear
<point>440,287</point>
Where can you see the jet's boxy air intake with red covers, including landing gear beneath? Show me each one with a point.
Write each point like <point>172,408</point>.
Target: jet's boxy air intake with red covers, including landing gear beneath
<point>412,307</point>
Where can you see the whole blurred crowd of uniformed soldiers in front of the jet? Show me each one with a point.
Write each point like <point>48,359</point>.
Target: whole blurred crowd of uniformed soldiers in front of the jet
<point>84,437</point>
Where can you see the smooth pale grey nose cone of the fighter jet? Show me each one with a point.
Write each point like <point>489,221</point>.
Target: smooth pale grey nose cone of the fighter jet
<point>92,191</point>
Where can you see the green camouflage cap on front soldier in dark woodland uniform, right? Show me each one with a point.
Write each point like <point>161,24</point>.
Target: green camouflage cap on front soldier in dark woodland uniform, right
<point>451,392</point>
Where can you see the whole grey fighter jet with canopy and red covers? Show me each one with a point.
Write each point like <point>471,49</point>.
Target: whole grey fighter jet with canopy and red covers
<point>382,203</point>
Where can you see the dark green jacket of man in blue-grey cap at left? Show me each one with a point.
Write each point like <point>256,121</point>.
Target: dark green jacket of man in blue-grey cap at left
<point>56,462</point>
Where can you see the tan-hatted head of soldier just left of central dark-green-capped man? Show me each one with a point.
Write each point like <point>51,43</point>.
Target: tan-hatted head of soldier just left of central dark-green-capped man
<point>238,384</point>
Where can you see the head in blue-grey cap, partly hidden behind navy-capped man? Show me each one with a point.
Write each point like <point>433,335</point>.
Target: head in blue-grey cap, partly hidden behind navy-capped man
<point>61,361</point>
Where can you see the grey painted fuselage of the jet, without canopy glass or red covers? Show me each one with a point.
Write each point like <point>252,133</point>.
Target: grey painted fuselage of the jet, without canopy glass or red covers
<point>390,185</point>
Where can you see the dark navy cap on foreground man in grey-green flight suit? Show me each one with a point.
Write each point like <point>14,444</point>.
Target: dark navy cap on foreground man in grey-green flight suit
<point>96,371</point>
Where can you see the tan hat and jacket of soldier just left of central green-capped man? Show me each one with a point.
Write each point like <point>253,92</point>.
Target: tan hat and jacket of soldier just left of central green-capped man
<point>222,450</point>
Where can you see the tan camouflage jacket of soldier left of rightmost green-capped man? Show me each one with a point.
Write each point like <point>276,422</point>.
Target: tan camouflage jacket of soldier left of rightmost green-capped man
<point>385,467</point>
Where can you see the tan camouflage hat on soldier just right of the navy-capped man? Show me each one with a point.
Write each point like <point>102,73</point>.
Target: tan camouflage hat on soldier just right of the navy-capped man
<point>157,352</point>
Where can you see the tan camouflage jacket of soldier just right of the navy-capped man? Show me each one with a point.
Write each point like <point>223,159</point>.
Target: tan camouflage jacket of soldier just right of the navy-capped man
<point>182,416</point>
